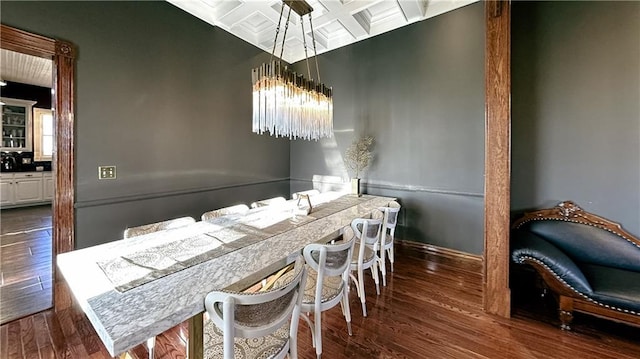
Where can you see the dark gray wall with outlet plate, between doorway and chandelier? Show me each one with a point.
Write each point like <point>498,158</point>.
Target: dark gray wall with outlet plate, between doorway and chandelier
<point>166,98</point>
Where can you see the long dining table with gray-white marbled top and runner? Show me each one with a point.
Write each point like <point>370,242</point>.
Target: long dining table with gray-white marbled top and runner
<point>135,288</point>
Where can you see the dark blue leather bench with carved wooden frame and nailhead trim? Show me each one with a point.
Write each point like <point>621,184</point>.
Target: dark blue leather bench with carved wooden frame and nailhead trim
<point>591,264</point>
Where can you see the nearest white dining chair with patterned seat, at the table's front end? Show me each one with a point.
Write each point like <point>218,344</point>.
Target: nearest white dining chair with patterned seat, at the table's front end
<point>255,325</point>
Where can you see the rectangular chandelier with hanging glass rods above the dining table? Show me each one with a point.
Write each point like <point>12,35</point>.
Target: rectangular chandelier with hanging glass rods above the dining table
<point>285,104</point>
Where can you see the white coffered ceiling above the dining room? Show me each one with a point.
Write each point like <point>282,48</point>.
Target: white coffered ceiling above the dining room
<point>336,23</point>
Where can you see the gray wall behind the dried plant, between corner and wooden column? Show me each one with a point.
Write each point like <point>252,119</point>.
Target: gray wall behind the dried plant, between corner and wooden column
<point>419,91</point>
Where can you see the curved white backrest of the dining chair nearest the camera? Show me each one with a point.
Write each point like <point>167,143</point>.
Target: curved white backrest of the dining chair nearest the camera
<point>251,315</point>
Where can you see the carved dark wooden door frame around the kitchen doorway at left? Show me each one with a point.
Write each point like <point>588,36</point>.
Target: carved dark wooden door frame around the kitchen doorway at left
<point>63,55</point>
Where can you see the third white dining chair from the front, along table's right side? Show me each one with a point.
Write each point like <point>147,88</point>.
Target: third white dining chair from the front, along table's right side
<point>367,232</point>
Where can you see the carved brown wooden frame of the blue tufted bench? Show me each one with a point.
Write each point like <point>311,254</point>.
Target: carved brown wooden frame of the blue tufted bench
<point>569,299</point>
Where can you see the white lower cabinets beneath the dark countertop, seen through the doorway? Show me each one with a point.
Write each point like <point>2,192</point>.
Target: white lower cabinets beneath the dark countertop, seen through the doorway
<point>25,188</point>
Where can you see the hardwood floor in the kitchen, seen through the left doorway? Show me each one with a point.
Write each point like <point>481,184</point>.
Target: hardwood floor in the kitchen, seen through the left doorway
<point>25,261</point>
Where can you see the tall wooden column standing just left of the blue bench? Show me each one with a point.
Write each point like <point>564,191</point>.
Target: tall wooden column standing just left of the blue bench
<point>497,297</point>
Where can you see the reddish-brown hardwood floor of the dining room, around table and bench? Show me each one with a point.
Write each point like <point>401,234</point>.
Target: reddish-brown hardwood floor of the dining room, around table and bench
<point>431,308</point>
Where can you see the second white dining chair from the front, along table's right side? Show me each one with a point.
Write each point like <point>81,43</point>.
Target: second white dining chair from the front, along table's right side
<point>327,284</point>
